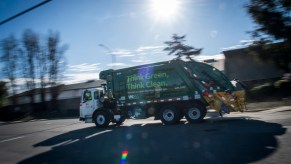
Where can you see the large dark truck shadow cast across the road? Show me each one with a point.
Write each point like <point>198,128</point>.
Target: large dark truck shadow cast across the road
<point>232,140</point>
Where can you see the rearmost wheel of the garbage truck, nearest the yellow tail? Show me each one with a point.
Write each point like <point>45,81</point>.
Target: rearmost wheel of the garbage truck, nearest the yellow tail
<point>195,113</point>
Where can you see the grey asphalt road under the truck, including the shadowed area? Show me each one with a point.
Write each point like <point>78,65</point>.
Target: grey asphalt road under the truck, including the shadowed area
<point>250,137</point>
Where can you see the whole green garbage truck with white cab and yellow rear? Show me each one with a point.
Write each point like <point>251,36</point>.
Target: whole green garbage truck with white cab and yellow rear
<point>167,91</point>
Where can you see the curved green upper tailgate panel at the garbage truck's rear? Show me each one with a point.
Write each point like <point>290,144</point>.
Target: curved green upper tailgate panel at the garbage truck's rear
<point>209,74</point>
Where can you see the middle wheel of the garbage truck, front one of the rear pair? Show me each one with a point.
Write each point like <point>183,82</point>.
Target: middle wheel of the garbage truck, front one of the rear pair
<point>169,115</point>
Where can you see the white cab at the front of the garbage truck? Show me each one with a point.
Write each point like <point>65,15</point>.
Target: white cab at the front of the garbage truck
<point>91,100</point>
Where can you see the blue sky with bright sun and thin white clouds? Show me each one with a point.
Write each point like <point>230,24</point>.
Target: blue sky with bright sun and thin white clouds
<point>105,34</point>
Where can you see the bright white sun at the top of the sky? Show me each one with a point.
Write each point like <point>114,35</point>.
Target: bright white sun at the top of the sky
<point>164,9</point>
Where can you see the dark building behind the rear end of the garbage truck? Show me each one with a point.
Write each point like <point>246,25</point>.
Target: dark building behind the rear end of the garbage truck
<point>247,66</point>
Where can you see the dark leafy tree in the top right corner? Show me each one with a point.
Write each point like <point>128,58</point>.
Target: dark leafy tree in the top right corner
<point>273,19</point>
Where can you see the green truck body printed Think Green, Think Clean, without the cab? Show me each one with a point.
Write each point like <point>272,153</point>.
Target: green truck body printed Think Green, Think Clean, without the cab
<point>174,80</point>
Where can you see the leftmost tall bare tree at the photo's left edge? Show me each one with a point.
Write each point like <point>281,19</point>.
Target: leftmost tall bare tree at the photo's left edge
<point>9,58</point>
